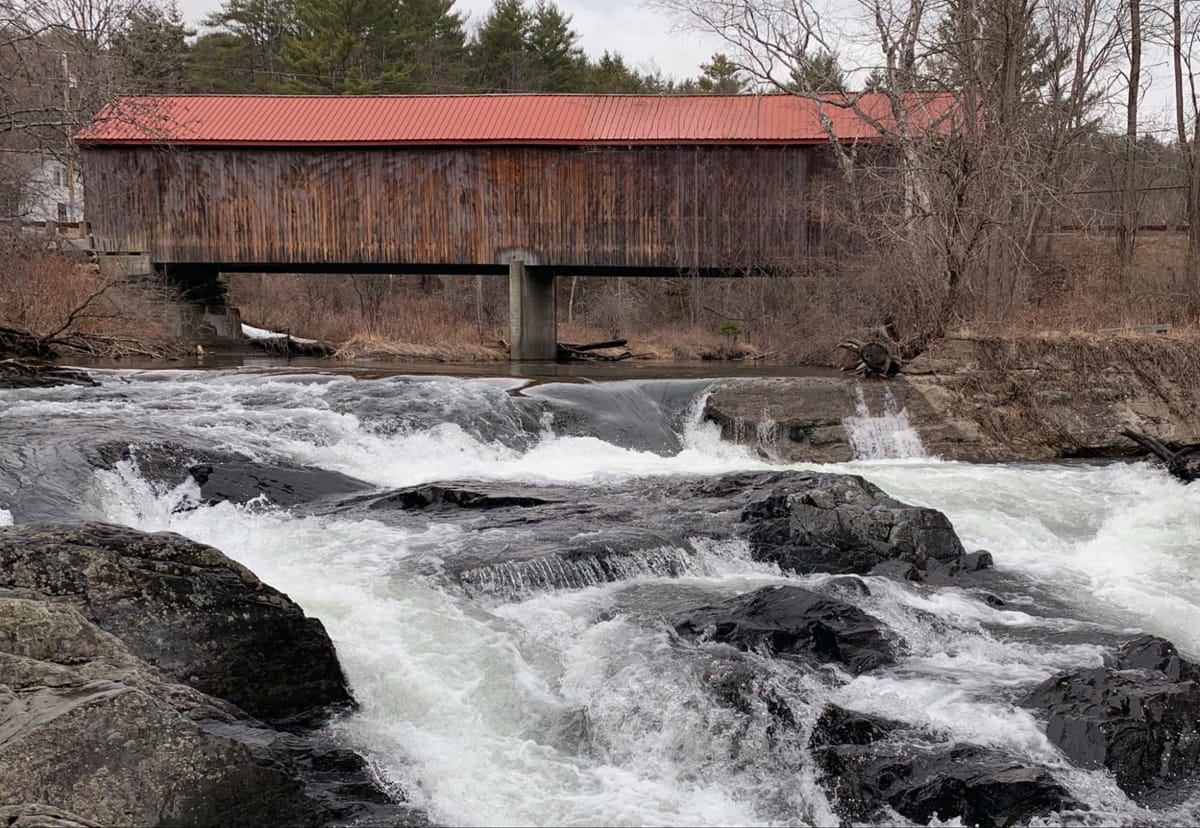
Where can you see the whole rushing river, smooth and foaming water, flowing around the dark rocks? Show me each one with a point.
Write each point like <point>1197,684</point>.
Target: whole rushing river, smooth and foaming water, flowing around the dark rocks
<point>521,701</point>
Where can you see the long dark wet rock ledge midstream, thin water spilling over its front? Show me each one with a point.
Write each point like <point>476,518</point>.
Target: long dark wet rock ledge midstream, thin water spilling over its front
<point>592,535</point>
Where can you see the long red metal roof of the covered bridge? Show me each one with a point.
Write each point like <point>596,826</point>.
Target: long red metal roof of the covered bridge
<point>274,121</point>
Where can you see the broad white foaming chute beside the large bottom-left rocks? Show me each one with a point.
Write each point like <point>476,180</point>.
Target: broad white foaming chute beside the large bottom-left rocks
<point>473,709</point>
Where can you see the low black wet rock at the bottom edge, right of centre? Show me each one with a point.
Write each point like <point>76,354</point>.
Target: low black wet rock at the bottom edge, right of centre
<point>869,765</point>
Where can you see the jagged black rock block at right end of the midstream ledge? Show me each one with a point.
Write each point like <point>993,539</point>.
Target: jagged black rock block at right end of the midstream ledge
<point>842,524</point>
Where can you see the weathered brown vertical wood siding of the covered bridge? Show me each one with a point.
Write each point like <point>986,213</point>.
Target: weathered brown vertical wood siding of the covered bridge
<point>653,207</point>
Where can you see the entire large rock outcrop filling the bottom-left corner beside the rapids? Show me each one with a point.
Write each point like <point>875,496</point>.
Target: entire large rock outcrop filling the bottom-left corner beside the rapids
<point>147,680</point>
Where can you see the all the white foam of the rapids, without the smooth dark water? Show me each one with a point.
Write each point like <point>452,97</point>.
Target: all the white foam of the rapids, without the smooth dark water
<point>556,710</point>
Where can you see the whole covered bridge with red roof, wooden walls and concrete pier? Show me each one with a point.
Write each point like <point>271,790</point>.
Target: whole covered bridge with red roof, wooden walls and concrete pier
<point>533,185</point>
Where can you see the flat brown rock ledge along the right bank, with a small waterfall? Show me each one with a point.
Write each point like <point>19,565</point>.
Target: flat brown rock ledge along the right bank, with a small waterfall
<point>983,400</point>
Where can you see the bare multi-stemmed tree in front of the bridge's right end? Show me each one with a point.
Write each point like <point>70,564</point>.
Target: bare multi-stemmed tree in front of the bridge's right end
<point>964,184</point>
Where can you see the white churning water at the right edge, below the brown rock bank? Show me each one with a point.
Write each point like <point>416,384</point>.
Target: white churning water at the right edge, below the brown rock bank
<point>1115,543</point>
